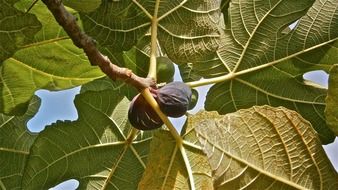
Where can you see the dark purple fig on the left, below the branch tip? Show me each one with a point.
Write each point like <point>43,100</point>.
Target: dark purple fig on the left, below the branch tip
<point>142,116</point>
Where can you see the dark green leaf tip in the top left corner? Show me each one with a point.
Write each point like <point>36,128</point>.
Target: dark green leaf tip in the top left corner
<point>17,28</point>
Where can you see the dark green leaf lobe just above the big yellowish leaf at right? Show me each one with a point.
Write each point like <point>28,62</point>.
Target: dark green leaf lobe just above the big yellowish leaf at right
<point>275,87</point>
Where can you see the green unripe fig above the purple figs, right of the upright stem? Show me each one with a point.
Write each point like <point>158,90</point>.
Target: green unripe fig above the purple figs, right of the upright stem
<point>165,70</point>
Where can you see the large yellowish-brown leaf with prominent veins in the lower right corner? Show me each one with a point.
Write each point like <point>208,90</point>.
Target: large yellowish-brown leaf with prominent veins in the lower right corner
<point>263,148</point>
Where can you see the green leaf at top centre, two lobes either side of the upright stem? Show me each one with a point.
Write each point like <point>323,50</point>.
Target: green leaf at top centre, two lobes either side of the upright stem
<point>188,30</point>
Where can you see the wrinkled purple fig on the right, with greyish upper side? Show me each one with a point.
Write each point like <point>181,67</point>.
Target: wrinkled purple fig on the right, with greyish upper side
<point>174,99</point>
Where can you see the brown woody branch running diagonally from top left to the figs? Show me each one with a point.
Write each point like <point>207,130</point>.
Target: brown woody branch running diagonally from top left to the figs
<point>85,42</point>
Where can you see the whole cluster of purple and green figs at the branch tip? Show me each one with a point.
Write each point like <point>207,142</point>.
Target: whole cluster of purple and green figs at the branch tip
<point>174,99</point>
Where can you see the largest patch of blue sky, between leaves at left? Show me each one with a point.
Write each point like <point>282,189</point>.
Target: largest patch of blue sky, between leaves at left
<point>54,106</point>
